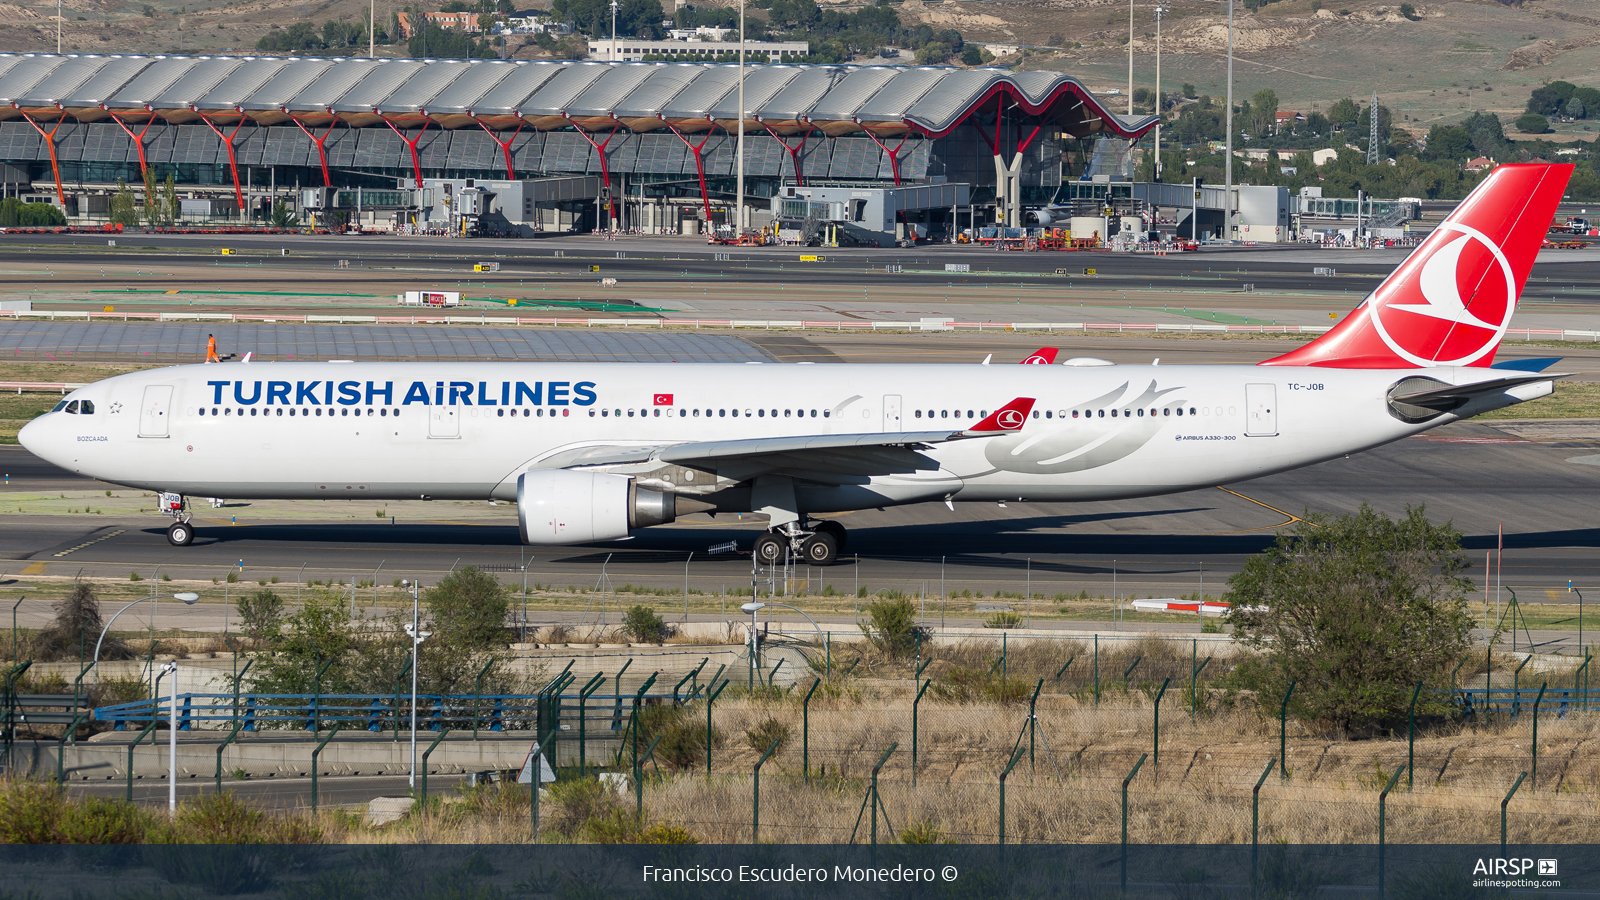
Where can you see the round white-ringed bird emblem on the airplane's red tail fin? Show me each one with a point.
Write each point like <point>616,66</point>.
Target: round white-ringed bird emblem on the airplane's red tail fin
<point>1442,331</point>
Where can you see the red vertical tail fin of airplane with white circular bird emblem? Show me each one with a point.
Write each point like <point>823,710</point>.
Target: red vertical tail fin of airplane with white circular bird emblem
<point>1452,300</point>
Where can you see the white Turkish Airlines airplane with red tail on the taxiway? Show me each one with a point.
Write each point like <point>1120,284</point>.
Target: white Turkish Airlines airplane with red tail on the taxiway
<point>593,452</point>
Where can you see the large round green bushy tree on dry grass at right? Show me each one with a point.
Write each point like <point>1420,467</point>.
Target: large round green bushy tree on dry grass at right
<point>1356,613</point>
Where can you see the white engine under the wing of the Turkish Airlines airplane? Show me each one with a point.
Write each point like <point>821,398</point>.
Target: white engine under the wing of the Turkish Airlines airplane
<point>564,507</point>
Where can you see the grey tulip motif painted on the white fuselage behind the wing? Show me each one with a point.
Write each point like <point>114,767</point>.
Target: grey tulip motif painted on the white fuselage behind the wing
<point>1082,444</point>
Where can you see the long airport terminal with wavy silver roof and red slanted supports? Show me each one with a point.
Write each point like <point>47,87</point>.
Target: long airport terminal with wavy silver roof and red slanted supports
<point>524,147</point>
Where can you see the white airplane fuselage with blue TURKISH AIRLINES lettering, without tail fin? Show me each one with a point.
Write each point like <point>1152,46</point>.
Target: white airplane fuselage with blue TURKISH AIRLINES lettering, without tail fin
<point>414,430</point>
